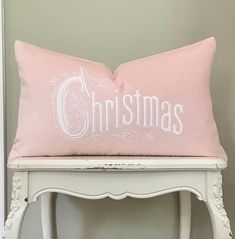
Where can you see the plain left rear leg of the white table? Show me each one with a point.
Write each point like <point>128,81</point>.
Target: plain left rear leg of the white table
<point>46,215</point>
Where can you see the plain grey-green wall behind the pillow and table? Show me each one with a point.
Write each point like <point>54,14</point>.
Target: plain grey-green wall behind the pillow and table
<point>113,32</point>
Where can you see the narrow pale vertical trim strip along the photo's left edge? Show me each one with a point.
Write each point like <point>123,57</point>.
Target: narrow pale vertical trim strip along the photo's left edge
<point>2,136</point>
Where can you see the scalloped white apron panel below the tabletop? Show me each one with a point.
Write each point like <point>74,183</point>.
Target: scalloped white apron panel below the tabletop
<point>116,185</point>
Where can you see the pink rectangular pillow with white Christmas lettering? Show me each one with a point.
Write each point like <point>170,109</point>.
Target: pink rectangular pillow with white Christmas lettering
<point>157,105</point>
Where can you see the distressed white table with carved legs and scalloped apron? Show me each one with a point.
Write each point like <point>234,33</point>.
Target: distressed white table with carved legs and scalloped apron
<point>95,177</point>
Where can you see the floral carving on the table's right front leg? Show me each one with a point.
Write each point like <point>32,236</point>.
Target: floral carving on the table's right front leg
<point>218,196</point>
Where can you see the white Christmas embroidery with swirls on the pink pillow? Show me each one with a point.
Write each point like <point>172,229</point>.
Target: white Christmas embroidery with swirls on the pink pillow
<point>82,110</point>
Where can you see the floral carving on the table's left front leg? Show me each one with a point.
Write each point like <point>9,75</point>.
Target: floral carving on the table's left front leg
<point>15,203</point>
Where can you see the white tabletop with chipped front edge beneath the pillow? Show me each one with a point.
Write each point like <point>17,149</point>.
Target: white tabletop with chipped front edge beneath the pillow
<point>116,163</point>
